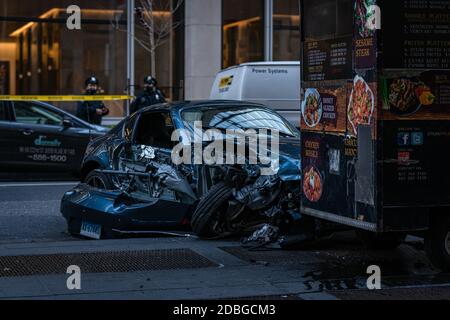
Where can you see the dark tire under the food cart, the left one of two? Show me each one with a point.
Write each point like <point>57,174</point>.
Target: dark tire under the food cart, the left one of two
<point>380,241</point>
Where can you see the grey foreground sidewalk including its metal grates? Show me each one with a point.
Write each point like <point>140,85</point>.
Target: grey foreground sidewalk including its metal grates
<point>179,268</point>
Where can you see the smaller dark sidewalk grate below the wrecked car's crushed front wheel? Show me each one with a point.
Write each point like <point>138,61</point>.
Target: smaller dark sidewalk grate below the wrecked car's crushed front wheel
<point>276,257</point>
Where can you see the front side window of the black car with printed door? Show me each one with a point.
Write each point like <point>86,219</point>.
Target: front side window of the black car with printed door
<point>30,113</point>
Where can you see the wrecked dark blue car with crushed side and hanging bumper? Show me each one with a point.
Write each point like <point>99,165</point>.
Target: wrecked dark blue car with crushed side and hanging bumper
<point>173,167</point>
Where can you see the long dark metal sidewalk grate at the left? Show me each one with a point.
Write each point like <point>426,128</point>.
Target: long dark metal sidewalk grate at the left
<point>103,262</point>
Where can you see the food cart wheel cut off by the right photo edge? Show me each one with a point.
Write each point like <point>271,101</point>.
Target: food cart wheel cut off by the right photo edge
<point>437,243</point>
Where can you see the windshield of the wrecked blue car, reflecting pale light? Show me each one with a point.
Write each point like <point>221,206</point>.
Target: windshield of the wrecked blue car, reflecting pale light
<point>238,118</point>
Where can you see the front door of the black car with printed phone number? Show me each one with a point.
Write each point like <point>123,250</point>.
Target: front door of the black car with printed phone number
<point>43,142</point>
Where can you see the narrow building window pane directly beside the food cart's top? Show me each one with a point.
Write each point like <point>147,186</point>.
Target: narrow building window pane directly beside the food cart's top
<point>286,30</point>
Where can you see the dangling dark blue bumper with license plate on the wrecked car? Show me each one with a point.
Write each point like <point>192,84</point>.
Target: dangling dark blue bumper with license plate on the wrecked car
<point>111,213</point>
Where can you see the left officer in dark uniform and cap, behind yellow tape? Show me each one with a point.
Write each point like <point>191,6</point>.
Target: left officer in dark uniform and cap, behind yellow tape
<point>92,111</point>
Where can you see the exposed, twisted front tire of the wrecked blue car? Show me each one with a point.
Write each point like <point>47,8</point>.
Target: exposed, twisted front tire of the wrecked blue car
<point>208,208</point>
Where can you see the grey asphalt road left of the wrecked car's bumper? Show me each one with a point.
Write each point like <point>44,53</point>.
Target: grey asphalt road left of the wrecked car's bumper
<point>29,212</point>
